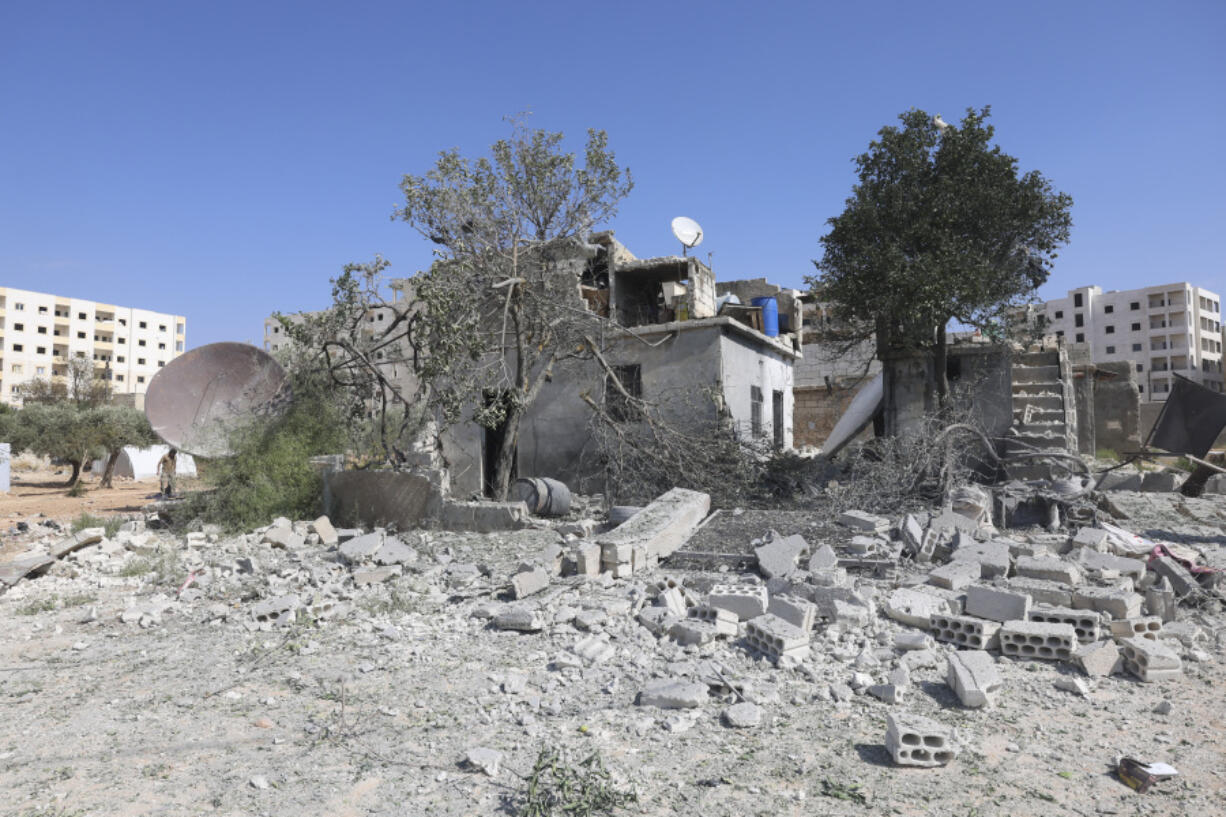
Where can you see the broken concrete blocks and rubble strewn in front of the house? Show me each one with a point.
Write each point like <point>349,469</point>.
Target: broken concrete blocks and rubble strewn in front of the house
<point>599,629</point>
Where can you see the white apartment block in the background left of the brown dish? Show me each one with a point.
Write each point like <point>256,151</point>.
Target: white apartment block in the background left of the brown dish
<point>40,333</point>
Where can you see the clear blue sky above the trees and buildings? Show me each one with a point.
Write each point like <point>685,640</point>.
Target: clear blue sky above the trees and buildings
<point>225,160</point>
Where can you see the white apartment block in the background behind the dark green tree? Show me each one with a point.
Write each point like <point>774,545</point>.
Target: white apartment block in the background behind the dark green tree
<point>1163,331</point>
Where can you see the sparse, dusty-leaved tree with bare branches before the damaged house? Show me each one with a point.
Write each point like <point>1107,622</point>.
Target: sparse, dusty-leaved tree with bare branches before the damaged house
<point>500,309</point>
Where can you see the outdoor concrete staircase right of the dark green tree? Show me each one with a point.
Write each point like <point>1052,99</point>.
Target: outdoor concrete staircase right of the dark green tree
<point>1044,412</point>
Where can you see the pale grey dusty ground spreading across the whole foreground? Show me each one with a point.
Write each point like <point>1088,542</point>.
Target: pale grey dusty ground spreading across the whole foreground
<point>120,696</point>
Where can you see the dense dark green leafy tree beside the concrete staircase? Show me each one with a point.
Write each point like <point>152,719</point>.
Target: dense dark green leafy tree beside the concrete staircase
<point>941,226</point>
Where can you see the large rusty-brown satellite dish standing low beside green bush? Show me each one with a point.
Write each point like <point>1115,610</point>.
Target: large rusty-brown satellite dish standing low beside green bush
<point>199,399</point>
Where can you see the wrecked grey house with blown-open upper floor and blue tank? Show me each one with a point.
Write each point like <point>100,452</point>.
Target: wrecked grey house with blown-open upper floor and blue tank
<point>706,354</point>
